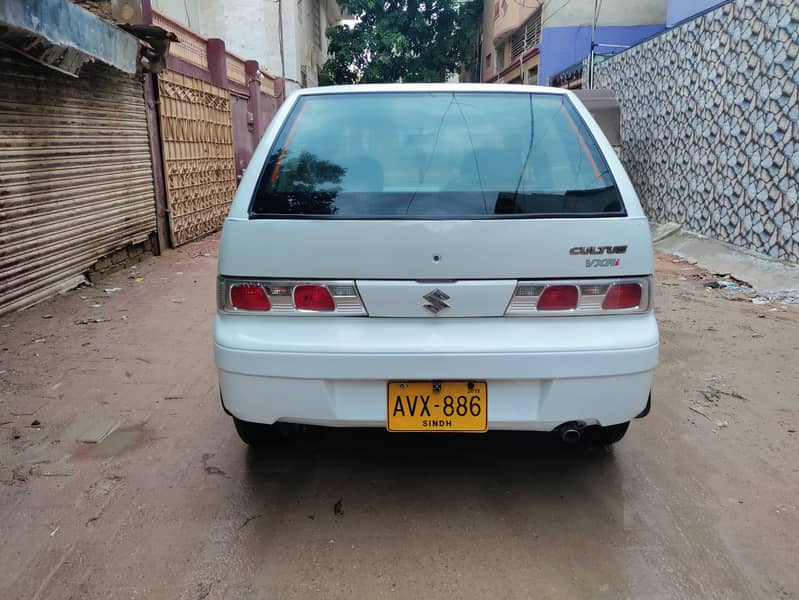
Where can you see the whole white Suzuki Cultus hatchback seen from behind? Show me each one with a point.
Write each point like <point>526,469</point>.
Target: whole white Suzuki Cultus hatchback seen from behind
<point>436,258</point>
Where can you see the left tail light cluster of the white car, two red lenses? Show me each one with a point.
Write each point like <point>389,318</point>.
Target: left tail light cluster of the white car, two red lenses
<point>278,297</point>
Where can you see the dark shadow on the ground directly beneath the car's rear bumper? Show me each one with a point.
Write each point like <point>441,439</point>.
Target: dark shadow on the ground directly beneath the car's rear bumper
<point>376,472</point>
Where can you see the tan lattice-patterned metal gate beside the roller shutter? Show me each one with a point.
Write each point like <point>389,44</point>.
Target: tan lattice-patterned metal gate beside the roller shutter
<point>197,142</point>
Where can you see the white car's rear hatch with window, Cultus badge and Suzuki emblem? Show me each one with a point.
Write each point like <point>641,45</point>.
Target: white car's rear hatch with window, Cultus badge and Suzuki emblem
<point>440,204</point>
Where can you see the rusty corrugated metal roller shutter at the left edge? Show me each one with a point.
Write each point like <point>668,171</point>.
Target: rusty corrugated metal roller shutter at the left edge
<point>76,178</point>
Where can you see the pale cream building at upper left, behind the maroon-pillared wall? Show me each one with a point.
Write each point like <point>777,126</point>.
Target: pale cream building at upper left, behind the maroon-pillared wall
<point>304,43</point>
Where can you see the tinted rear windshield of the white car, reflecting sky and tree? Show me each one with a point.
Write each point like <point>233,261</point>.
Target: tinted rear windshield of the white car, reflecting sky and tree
<point>469,155</point>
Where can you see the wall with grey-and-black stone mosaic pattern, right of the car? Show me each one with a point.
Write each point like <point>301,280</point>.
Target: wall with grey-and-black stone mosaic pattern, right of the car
<point>710,124</point>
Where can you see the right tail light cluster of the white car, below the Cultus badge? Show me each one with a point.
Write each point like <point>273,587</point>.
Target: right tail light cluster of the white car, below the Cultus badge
<point>582,297</point>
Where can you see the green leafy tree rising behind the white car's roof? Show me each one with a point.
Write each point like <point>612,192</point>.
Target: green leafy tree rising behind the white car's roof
<point>395,40</point>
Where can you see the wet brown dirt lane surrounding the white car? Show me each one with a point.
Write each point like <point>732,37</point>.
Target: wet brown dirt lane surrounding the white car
<point>699,501</point>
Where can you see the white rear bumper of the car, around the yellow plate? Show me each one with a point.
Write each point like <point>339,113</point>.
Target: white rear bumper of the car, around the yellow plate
<point>541,372</point>
